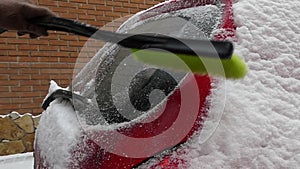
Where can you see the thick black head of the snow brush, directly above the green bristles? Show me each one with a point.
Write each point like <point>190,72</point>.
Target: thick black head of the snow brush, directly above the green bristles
<point>204,48</point>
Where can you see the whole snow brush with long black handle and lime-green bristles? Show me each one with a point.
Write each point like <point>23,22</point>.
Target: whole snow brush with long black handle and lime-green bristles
<point>211,52</point>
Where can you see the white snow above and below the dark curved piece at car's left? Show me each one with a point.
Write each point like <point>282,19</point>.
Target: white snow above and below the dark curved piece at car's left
<point>65,127</point>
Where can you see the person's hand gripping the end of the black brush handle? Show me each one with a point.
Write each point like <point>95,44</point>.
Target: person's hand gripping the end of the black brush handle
<point>16,14</point>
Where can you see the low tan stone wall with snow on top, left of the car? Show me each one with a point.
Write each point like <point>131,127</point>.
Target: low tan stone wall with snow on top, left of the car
<point>17,133</point>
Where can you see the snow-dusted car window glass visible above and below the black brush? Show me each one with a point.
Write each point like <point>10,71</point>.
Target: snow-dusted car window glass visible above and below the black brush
<point>119,87</point>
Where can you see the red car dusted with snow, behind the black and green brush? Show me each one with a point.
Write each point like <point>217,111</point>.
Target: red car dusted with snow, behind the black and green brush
<point>118,112</point>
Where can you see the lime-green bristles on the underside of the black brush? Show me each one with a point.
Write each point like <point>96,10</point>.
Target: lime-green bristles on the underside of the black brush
<point>233,68</point>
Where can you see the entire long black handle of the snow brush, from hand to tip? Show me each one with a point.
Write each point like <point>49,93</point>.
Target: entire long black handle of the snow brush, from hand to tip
<point>205,48</point>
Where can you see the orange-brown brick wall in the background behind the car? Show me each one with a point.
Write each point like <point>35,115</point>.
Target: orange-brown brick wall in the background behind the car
<point>27,65</point>
